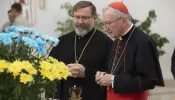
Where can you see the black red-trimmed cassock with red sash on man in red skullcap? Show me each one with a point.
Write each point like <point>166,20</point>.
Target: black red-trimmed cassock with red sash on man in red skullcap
<point>138,69</point>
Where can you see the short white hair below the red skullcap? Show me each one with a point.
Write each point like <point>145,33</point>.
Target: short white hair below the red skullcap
<point>118,13</point>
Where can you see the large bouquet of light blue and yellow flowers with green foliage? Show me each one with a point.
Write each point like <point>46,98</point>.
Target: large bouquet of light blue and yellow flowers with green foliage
<point>26,71</point>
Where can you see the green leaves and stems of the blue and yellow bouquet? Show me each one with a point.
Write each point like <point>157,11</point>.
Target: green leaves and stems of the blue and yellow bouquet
<point>11,88</point>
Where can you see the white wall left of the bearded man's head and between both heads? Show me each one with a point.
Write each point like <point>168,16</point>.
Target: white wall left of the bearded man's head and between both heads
<point>53,13</point>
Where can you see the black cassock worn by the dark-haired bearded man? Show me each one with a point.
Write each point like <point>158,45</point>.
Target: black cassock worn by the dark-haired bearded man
<point>94,59</point>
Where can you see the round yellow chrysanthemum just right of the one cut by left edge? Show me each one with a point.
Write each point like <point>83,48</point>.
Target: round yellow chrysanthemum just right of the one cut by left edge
<point>15,68</point>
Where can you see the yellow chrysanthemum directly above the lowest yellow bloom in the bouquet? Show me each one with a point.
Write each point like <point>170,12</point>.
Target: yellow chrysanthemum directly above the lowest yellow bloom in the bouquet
<point>29,68</point>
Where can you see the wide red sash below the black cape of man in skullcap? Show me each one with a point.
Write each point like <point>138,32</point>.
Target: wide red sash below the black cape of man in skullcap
<point>131,96</point>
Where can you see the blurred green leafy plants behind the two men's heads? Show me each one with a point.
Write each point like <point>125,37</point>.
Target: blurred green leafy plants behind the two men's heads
<point>67,26</point>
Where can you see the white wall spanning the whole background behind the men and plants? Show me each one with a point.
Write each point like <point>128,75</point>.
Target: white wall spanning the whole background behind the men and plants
<point>165,9</point>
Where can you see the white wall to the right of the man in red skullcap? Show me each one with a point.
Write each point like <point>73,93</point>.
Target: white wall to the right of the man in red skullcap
<point>164,25</point>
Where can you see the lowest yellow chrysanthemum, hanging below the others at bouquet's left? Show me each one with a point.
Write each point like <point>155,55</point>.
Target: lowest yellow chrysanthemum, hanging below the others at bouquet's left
<point>25,78</point>
